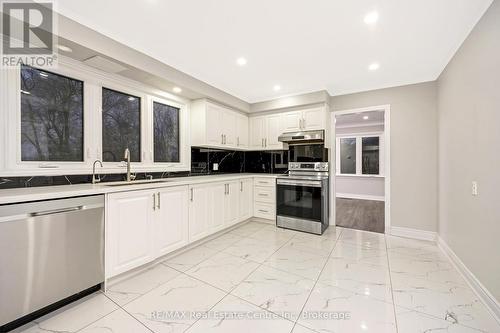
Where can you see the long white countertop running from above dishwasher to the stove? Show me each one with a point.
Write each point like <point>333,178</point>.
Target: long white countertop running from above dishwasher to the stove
<point>10,196</point>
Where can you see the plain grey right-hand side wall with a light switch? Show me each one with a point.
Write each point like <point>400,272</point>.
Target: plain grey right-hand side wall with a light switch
<point>469,149</point>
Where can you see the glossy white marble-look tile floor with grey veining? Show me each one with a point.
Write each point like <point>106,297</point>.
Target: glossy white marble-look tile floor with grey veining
<point>258,278</point>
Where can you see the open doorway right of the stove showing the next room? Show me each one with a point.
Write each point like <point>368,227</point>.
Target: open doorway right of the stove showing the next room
<point>361,169</point>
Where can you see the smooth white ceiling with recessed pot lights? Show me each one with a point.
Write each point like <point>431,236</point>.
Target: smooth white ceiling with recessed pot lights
<point>301,45</point>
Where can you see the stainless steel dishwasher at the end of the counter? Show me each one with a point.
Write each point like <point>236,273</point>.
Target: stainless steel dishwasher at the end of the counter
<point>51,252</point>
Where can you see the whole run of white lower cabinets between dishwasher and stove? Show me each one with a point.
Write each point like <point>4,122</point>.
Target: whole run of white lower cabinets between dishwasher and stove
<point>144,225</point>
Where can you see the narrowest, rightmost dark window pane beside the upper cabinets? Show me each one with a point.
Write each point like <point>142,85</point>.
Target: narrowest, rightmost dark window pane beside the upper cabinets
<point>166,133</point>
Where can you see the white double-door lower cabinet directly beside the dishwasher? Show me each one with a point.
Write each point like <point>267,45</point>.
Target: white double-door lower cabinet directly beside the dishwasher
<point>144,225</point>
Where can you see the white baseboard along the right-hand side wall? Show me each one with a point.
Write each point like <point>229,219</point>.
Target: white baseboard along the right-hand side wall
<point>486,297</point>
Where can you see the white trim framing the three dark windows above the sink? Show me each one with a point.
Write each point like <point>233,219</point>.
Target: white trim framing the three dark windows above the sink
<point>94,80</point>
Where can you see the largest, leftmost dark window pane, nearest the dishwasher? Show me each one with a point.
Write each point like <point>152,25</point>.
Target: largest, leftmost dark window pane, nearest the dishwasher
<point>51,117</point>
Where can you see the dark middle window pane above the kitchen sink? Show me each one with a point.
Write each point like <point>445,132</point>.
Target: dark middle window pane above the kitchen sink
<point>121,126</point>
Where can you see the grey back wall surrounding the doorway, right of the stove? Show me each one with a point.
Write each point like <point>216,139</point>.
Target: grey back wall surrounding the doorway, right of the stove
<point>413,150</point>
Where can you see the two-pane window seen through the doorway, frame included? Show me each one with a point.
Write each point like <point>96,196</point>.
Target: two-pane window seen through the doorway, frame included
<point>366,148</point>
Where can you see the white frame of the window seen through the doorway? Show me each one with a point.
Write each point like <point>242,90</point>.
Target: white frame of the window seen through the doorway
<point>359,154</point>
